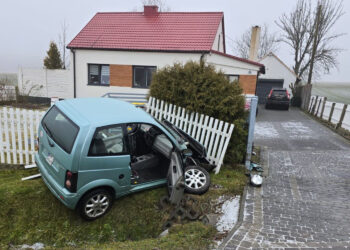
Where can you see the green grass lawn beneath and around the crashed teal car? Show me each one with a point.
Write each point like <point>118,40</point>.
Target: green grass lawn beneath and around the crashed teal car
<point>29,213</point>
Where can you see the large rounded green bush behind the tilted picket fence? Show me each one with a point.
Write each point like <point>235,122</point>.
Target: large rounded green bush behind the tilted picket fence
<point>199,87</point>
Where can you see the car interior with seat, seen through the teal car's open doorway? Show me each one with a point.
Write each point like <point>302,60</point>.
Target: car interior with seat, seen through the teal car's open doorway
<point>150,151</point>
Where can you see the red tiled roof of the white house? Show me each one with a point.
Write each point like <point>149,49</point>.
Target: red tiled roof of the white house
<point>162,31</point>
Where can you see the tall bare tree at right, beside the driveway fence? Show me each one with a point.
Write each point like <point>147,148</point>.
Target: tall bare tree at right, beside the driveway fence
<point>309,27</point>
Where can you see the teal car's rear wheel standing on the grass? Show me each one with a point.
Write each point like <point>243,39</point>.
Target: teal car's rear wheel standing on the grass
<point>95,204</point>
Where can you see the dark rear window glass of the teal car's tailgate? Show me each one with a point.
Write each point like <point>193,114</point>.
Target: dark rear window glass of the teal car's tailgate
<point>60,129</point>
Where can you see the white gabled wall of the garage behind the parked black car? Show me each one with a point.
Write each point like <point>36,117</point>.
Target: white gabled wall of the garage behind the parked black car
<point>274,69</point>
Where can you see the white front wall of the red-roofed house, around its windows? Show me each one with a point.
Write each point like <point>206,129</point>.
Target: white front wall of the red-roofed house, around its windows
<point>159,59</point>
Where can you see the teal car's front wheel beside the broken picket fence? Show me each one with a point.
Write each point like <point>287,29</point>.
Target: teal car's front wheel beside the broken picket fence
<point>197,180</point>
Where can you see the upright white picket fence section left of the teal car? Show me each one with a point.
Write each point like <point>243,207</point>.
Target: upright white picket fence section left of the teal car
<point>18,133</point>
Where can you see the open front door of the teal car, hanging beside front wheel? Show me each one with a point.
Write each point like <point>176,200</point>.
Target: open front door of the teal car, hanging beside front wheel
<point>175,178</point>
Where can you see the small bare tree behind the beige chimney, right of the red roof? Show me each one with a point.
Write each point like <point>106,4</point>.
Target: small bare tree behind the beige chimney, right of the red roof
<point>268,43</point>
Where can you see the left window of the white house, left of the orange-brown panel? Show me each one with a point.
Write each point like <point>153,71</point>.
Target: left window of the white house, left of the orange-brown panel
<point>98,74</point>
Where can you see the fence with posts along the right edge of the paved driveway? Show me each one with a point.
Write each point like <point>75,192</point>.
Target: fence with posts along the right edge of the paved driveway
<point>316,107</point>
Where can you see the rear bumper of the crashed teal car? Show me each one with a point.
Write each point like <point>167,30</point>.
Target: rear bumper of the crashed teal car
<point>69,199</point>
